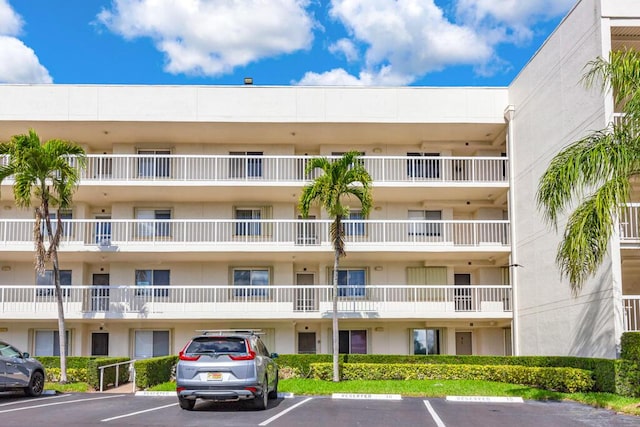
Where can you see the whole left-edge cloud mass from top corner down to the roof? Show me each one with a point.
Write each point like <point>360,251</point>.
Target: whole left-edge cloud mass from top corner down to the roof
<point>18,62</point>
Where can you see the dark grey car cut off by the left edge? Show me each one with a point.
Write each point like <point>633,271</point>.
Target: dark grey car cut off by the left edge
<point>20,372</point>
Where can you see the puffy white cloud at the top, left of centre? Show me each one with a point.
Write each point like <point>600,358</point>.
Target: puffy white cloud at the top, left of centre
<point>213,37</point>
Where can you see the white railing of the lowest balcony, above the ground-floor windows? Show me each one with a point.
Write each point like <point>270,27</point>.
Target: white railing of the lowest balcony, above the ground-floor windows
<point>256,301</point>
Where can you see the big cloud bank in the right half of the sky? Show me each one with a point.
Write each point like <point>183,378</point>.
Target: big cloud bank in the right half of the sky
<point>406,39</point>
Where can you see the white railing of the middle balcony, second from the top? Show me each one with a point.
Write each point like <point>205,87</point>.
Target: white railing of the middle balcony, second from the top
<point>298,232</point>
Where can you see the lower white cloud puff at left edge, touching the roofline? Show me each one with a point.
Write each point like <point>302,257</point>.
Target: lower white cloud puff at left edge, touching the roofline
<point>19,64</point>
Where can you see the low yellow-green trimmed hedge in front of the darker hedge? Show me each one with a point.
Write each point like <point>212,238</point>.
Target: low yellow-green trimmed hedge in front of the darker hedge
<point>568,380</point>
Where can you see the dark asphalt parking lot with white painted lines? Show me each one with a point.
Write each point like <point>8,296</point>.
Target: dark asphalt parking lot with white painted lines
<point>92,409</point>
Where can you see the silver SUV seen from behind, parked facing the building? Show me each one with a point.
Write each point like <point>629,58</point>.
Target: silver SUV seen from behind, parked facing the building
<point>226,366</point>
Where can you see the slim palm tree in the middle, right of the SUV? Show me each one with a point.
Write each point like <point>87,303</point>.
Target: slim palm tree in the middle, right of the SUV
<point>341,179</point>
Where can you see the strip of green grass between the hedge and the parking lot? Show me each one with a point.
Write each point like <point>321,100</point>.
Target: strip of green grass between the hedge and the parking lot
<point>442,388</point>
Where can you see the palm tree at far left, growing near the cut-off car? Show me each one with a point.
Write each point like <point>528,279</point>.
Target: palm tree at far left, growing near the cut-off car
<point>44,172</point>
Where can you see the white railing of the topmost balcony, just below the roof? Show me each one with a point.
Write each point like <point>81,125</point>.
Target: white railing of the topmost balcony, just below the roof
<point>289,169</point>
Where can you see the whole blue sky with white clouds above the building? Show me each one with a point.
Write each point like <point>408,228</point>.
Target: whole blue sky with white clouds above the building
<point>276,42</point>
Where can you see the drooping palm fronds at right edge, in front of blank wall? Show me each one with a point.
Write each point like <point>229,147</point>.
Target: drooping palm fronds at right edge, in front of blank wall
<point>595,171</point>
